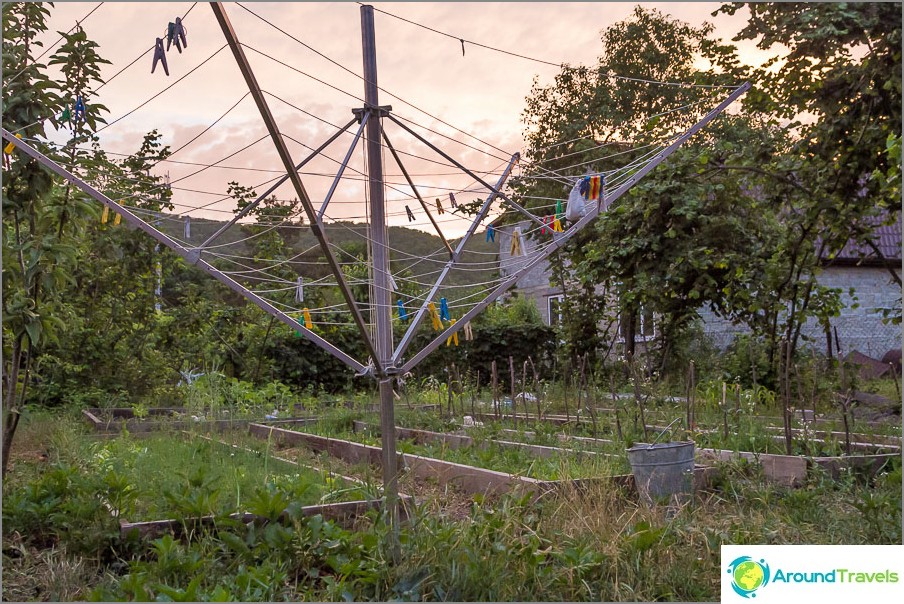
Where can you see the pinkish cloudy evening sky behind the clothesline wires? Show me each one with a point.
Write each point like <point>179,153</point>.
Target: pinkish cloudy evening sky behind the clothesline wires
<point>481,93</point>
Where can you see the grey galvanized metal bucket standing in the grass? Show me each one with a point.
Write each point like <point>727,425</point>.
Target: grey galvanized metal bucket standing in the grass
<point>663,470</point>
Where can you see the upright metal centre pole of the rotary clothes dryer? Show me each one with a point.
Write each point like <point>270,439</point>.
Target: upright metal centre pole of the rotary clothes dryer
<point>382,317</point>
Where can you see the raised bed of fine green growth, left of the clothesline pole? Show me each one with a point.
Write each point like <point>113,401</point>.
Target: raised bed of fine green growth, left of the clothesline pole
<point>189,481</point>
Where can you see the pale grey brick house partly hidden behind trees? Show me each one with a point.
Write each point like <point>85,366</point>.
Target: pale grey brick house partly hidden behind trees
<point>860,325</point>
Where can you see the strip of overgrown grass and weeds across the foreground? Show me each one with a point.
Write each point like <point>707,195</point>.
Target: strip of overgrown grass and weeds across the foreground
<point>593,545</point>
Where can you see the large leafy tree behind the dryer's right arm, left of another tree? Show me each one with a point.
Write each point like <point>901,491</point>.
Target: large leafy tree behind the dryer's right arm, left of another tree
<point>680,238</point>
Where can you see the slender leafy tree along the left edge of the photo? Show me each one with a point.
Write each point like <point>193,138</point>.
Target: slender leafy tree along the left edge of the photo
<point>38,256</point>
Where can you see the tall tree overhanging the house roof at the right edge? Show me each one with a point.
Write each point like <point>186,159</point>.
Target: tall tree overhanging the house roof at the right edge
<point>838,89</point>
